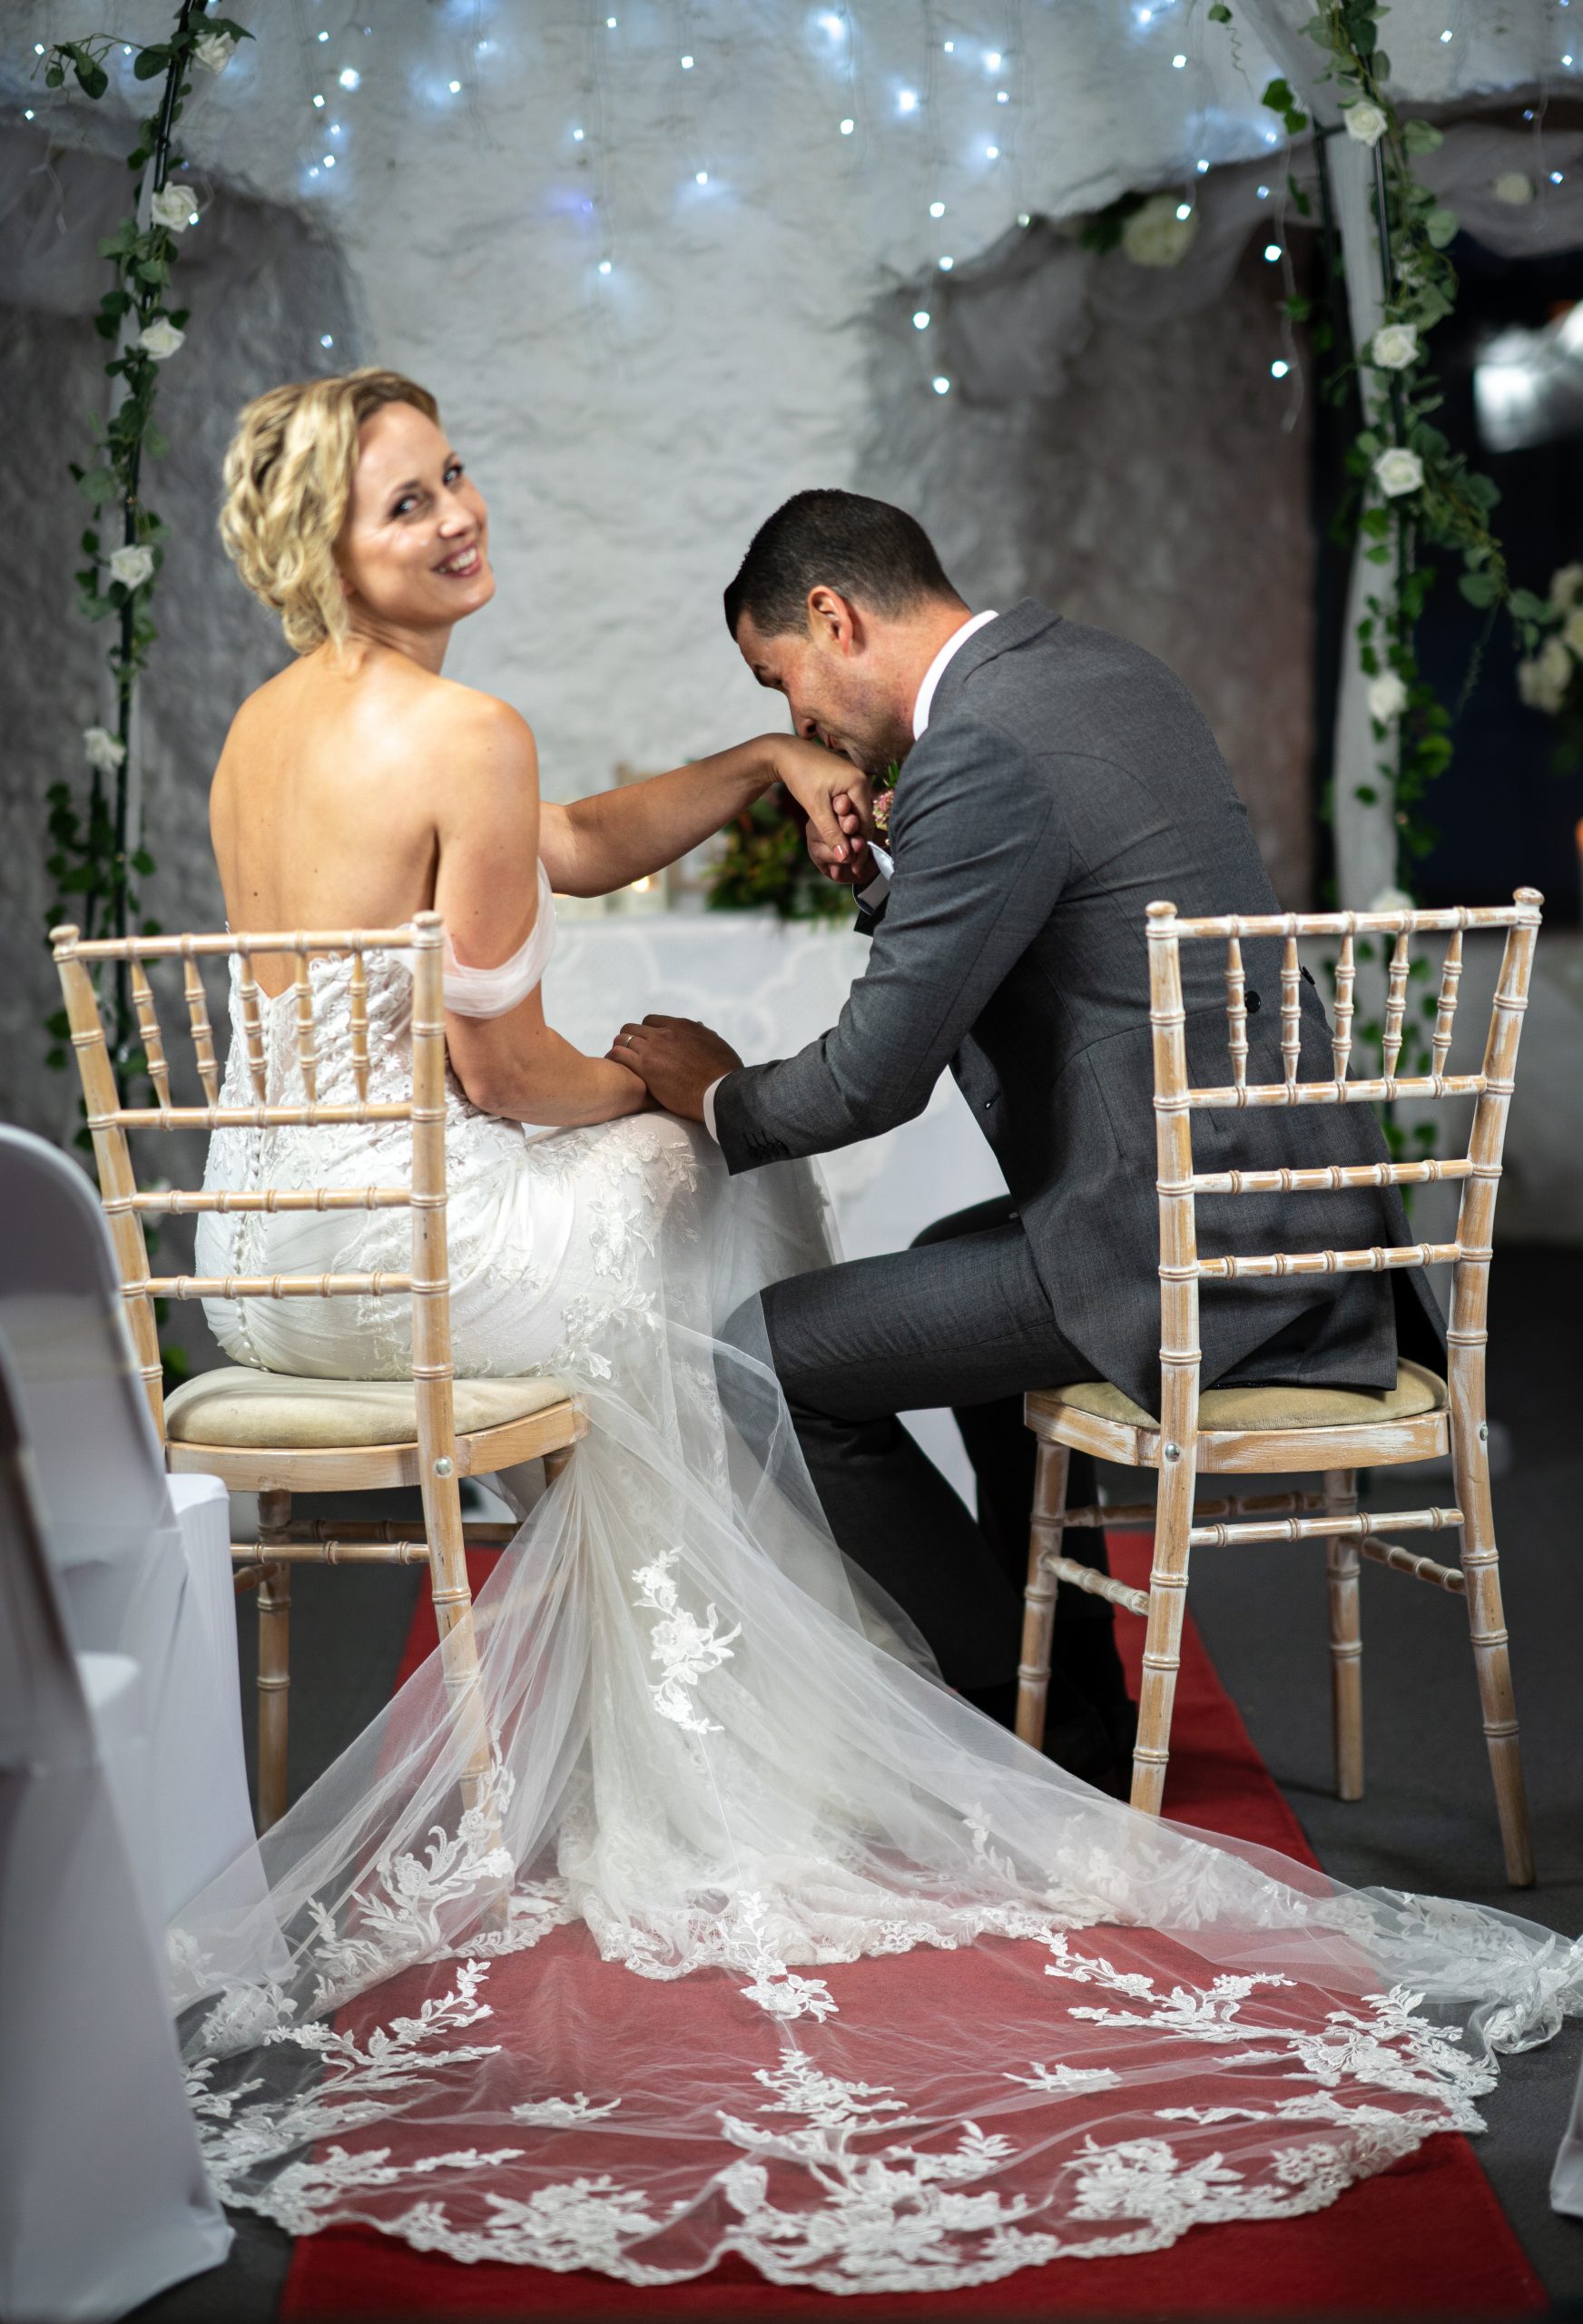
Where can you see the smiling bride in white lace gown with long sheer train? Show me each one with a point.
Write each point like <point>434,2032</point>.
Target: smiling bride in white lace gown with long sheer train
<point>761,1942</point>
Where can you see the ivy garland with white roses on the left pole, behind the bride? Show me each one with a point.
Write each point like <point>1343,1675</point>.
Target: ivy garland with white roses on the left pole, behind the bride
<point>92,859</point>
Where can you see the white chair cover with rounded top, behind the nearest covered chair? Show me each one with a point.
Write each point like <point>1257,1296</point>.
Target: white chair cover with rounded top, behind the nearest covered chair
<point>143,1561</point>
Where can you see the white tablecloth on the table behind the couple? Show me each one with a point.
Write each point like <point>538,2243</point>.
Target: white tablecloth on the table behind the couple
<point>768,989</point>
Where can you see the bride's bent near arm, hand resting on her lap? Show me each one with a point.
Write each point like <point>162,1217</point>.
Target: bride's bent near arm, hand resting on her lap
<point>487,826</point>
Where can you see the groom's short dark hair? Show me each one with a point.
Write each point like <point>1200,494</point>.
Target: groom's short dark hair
<point>873,554</point>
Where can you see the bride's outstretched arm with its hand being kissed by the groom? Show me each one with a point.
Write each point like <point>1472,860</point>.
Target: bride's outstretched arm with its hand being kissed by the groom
<point>615,838</point>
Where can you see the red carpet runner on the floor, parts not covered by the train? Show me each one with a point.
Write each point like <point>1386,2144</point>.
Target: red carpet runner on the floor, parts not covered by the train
<point>1424,2239</point>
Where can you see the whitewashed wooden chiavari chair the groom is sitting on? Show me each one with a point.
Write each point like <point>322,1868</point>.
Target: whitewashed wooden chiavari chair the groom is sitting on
<point>1268,1430</point>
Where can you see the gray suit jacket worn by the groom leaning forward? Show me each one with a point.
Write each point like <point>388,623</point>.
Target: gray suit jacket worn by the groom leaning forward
<point>1063,784</point>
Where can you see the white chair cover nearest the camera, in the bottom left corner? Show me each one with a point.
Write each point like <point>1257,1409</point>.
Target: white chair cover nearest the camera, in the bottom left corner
<point>103,2200</point>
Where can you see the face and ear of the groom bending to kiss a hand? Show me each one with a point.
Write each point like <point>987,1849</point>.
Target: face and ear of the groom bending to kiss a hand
<point>836,680</point>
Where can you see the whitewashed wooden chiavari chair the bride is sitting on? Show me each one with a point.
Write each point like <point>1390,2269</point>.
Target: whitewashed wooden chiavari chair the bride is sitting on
<point>278,1433</point>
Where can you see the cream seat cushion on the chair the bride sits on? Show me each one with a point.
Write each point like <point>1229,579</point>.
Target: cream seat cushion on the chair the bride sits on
<point>282,1410</point>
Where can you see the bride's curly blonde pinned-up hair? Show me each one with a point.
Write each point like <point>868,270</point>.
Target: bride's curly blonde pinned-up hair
<point>289,487</point>
